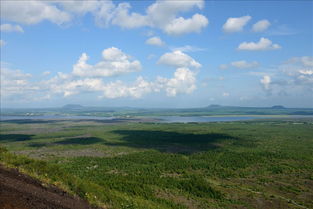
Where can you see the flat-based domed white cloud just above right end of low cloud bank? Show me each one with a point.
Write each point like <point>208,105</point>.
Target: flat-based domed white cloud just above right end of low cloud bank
<point>178,59</point>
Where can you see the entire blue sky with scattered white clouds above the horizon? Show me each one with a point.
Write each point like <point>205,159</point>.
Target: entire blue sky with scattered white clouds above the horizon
<point>156,53</point>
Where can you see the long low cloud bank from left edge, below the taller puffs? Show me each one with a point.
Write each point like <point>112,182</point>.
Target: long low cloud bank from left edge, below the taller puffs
<point>16,84</point>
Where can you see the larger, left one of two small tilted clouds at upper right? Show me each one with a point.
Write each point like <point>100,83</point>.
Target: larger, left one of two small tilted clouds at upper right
<point>235,24</point>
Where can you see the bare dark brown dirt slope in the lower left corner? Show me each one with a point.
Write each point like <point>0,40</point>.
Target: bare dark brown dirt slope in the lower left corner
<point>19,191</point>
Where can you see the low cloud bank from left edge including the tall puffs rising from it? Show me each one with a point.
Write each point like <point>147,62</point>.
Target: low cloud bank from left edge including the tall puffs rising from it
<point>86,78</point>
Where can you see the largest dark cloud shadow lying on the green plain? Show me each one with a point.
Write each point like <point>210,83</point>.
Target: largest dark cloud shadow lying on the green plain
<point>171,142</point>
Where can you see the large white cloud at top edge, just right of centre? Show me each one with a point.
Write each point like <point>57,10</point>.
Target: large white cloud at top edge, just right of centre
<point>162,15</point>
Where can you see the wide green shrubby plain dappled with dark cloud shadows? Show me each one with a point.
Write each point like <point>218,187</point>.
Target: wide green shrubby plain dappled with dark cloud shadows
<point>256,164</point>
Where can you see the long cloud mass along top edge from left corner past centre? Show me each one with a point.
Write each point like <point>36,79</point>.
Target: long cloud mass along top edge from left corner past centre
<point>163,15</point>
